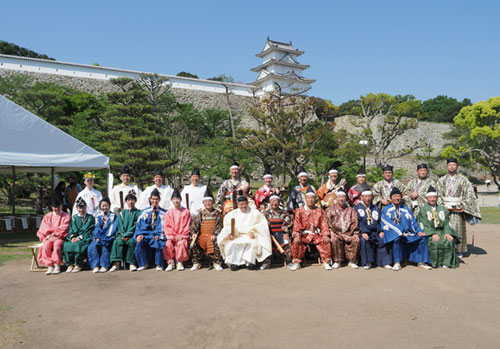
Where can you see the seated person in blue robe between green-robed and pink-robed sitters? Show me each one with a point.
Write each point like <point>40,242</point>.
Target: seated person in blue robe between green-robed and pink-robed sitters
<point>149,234</point>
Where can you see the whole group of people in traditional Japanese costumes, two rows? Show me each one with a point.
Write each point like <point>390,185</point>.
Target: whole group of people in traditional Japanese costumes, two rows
<point>422,222</point>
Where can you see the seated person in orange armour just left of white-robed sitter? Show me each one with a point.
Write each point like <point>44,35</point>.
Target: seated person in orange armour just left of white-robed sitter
<point>205,227</point>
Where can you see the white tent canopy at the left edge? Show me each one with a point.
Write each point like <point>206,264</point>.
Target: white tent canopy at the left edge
<point>30,144</point>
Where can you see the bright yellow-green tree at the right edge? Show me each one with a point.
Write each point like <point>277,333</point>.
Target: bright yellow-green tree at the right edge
<point>481,121</point>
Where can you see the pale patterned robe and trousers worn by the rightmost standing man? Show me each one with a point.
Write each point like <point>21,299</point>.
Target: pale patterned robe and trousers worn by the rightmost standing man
<point>458,186</point>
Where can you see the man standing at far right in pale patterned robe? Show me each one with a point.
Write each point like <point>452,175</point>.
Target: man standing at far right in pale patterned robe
<point>457,195</point>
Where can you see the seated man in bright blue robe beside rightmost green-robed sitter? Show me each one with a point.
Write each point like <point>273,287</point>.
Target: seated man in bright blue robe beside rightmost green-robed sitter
<point>401,229</point>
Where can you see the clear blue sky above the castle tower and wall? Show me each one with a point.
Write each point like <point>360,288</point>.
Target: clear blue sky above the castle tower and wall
<point>423,48</point>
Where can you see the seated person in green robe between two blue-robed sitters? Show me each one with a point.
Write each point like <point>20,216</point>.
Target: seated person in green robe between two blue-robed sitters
<point>124,244</point>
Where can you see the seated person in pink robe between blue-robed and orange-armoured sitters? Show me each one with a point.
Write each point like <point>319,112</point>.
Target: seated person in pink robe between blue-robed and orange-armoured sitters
<point>176,224</point>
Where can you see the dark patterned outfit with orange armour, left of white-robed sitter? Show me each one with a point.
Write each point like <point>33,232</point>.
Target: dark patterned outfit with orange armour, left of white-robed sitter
<point>197,225</point>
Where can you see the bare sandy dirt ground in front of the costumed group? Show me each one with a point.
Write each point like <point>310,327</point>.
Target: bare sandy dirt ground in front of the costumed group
<point>413,308</point>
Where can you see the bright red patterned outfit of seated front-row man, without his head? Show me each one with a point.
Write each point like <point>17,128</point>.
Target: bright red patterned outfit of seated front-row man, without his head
<point>310,226</point>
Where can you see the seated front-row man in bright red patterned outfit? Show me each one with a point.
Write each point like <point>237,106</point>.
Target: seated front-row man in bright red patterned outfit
<point>310,227</point>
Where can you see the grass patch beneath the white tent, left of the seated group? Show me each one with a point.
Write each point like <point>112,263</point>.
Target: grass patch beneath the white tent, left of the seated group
<point>14,246</point>
